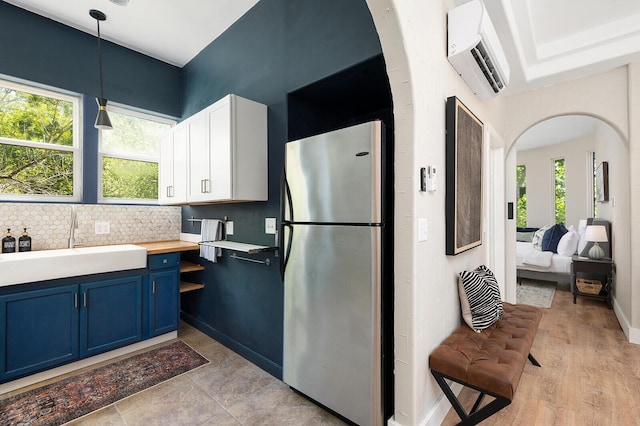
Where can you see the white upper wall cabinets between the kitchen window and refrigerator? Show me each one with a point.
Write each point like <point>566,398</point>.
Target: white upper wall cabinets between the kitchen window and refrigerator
<point>227,153</point>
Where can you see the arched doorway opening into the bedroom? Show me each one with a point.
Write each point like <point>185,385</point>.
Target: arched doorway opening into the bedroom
<point>581,142</point>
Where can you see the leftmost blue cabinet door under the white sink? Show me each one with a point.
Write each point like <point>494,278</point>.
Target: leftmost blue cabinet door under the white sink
<point>38,330</point>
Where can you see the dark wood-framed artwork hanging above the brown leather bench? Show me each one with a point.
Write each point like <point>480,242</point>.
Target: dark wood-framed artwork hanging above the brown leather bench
<point>464,156</point>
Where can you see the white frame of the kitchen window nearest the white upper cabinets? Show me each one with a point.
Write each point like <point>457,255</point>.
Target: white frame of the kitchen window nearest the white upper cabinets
<point>138,113</point>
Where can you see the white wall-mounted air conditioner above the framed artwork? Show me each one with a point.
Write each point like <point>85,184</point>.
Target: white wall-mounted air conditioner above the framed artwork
<point>475,51</point>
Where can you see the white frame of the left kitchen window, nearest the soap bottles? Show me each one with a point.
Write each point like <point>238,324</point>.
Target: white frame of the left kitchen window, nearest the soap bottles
<point>75,148</point>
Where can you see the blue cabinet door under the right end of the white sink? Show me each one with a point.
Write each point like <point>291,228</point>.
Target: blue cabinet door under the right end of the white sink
<point>110,314</point>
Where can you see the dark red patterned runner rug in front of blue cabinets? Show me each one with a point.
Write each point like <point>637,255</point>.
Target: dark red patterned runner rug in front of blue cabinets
<point>68,399</point>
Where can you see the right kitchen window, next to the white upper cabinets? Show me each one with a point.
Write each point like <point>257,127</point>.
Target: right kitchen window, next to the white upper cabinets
<point>129,156</point>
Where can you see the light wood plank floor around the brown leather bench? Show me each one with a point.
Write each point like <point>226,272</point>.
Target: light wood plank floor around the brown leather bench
<point>590,373</point>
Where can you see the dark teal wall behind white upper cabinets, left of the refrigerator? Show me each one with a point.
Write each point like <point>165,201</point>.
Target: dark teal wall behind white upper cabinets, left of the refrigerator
<point>276,48</point>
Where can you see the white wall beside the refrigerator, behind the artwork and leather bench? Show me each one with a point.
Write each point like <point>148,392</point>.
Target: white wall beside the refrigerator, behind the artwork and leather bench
<point>427,306</point>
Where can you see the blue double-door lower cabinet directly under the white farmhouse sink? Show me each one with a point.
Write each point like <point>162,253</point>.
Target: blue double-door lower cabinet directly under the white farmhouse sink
<point>45,325</point>
